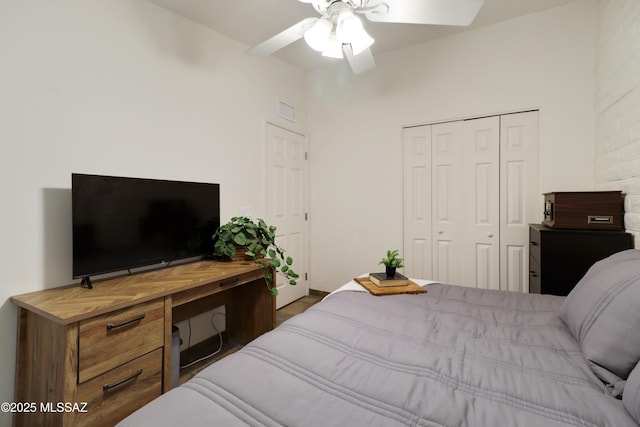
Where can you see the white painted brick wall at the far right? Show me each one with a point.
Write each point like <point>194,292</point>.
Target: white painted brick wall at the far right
<point>618,105</point>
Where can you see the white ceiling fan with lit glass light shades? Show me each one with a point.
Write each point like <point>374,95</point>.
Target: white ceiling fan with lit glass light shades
<point>339,32</point>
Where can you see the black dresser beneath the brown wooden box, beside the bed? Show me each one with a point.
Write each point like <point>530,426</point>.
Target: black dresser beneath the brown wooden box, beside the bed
<point>559,258</point>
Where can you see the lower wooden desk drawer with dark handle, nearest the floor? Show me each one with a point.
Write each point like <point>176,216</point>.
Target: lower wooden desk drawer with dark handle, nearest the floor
<point>112,396</point>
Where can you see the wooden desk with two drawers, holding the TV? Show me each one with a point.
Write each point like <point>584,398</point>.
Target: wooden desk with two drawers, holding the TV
<point>93,356</point>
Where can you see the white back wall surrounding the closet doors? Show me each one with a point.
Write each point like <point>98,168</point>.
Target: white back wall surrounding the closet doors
<point>545,60</point>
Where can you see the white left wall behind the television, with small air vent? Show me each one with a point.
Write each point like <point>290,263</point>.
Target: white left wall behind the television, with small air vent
<point>118,87</point>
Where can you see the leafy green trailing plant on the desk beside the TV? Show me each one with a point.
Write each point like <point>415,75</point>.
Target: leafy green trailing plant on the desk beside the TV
<point>245,238</point>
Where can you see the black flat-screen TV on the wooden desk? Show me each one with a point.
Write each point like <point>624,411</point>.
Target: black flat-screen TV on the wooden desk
<point>122,223</point>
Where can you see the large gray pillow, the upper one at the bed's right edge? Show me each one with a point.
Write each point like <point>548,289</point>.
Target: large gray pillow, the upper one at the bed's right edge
<point>603,314</point>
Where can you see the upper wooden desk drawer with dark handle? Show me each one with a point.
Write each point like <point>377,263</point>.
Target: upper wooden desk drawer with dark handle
<point>116,338</point>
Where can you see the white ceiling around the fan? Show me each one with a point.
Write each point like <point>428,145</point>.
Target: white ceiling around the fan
<point>253,21</point>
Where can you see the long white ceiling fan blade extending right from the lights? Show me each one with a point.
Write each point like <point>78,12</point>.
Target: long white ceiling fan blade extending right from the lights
<point>435,12</point>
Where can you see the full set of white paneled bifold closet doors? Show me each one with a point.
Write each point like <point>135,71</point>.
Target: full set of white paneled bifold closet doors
<point>468,199</point>
